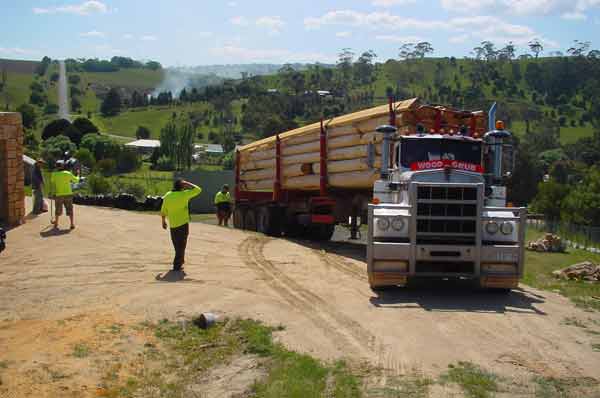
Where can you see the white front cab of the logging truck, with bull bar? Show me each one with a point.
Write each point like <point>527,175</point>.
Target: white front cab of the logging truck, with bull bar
<point>440,211</point>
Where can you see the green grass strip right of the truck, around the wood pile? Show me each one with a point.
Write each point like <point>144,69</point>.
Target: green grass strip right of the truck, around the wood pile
<point>539,267</point>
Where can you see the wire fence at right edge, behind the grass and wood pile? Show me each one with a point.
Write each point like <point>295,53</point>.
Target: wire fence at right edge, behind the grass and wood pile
<point>577,236</point>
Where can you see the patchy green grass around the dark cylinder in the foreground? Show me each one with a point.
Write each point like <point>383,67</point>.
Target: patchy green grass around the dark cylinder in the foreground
<point>187,352</point>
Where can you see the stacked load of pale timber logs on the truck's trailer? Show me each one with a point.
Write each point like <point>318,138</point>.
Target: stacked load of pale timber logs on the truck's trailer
<point>353,149</point>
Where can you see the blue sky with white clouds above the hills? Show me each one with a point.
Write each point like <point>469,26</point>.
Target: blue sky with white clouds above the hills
<point>201,32</point>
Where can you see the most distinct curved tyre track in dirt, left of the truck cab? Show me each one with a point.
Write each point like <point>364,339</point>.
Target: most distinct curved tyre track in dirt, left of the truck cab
<point>321,313</point>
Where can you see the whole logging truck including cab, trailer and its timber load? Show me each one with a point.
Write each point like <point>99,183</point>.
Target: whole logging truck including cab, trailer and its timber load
<point>428,180</point>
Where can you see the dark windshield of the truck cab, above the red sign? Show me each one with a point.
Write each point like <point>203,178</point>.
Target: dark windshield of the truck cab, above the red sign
<point>426,149</point>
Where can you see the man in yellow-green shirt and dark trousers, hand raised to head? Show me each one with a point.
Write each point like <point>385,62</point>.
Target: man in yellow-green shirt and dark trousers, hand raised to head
<point>175,208</point>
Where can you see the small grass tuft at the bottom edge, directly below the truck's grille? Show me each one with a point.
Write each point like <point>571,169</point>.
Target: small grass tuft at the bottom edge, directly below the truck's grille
<point>475,381</point>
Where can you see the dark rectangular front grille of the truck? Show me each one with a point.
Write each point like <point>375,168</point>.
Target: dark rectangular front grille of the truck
<point>446,215</point>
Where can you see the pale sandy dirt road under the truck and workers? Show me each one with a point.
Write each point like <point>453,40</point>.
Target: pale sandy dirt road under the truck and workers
<point>115,264</point>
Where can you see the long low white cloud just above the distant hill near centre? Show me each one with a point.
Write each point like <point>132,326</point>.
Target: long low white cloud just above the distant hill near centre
<point>232,53</point>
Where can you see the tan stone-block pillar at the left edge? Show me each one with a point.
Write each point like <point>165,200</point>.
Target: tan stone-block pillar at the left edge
<point>12,178</point>
